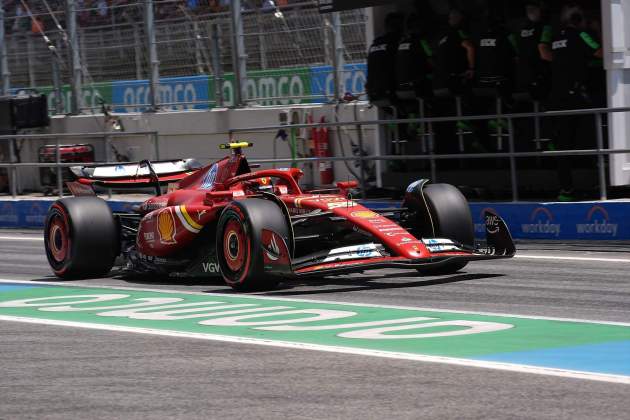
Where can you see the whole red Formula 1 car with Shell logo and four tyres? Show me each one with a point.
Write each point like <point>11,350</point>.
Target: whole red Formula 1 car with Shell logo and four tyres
<point>257,228</point>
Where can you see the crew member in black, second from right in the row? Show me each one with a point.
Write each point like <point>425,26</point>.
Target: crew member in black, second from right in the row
<point>533,43</point>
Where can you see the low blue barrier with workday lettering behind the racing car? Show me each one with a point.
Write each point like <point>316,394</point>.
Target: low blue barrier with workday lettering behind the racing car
<point>609,220</point>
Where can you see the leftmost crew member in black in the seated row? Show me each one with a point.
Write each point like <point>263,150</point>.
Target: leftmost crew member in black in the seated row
<point>381,77</point>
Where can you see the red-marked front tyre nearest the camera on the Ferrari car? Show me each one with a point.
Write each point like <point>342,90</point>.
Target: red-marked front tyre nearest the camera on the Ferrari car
<point>239,242</point>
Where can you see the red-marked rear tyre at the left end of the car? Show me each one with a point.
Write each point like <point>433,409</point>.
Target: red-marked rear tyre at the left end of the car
<point>81,237</point>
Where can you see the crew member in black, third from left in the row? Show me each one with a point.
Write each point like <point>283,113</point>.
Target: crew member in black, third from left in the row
<point>455,53</point>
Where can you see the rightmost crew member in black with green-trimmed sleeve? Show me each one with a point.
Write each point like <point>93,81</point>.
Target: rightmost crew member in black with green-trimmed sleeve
<point>573,49</point>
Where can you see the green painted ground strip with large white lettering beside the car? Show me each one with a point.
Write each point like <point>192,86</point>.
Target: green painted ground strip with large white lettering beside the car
<point>521,334</point>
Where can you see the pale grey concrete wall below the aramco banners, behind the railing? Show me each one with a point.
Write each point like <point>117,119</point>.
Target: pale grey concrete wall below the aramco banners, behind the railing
<point>198,133</point>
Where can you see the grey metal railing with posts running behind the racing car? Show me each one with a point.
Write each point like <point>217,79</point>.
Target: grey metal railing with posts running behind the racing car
<point>599,151</point>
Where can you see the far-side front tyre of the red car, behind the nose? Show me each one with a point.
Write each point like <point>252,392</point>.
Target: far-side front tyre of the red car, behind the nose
<point>451,219</point>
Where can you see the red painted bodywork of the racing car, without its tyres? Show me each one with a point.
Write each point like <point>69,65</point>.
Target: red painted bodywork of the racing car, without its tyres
<point>171,222</point>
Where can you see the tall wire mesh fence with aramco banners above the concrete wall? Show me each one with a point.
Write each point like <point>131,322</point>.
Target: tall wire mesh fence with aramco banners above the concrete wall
<point>289,48</point>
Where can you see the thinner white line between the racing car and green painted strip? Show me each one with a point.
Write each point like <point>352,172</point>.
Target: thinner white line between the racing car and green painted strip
<point>325,302</point>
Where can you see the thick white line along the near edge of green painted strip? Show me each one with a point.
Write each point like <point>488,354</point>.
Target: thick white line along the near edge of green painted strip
<point>510,367</point>
